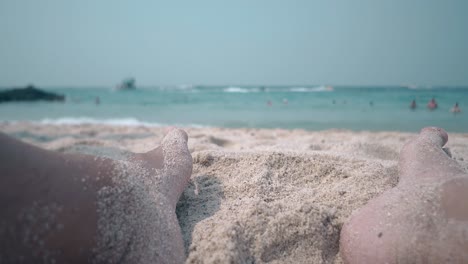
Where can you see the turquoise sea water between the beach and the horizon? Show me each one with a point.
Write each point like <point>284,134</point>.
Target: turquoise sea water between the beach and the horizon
<point>306,107</point>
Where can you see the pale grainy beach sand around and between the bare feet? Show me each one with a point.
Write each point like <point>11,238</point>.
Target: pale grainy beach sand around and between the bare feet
<point>258,195</point>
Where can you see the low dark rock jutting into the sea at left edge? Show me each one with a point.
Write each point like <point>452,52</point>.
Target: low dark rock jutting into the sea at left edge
<point>30,93</point>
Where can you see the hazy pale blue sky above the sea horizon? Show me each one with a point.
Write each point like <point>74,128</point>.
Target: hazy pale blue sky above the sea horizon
<point>357,42</point>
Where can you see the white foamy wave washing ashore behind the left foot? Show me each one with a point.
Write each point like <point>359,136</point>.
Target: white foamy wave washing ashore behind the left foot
<point>111,121</point>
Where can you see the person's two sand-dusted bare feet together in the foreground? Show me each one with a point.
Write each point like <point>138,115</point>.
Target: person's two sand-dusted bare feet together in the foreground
<point>70,208</point>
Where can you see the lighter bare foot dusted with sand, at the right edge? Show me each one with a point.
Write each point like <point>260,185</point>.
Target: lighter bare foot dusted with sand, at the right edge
<point>424,219</point>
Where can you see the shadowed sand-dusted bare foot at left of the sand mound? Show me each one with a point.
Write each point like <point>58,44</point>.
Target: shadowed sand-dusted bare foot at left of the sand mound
<point>77,208</point>
